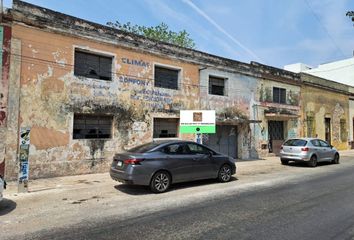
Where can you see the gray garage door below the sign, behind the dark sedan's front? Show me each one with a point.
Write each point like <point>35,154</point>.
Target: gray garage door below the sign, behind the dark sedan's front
<point>224,140</point>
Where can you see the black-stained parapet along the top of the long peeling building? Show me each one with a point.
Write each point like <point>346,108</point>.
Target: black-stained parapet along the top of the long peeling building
<point>49,20</point>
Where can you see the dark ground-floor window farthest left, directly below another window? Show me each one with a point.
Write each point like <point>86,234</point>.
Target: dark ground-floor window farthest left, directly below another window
<point>91,126</point>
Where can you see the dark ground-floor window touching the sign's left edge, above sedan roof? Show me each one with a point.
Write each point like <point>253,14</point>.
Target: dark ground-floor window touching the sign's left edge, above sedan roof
<point>165,127</point>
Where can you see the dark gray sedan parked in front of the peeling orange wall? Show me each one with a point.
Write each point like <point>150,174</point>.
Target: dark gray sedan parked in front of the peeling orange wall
<point>159,164</point>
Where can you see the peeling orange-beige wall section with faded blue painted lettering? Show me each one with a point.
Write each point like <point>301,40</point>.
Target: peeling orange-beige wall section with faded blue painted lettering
<point>50,94</point>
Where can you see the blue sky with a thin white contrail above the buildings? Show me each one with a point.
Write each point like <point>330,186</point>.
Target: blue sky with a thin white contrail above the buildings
<point>273,32</point>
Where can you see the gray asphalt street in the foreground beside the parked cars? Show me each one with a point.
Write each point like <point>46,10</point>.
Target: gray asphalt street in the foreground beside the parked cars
<point>316,206</point>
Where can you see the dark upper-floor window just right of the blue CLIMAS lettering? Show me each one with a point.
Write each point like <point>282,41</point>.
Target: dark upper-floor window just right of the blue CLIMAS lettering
<point>166,77</point>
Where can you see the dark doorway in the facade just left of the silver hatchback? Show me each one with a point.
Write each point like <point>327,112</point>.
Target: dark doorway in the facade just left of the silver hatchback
<point>275,135</point>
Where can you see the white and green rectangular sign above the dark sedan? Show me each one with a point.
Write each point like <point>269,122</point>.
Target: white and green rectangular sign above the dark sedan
<point>197,121</point>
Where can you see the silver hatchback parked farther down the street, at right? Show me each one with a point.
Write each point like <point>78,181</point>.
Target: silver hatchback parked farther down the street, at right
<point>310,150</point>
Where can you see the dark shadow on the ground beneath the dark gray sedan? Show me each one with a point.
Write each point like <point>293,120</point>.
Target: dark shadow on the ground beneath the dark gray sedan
<point>143,190</point>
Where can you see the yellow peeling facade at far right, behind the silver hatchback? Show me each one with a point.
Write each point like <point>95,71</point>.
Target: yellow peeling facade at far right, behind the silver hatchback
<point>320,103</point>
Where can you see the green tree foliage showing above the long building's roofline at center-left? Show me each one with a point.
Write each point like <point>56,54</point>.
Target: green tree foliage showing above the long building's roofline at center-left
<point>160,32</point>
